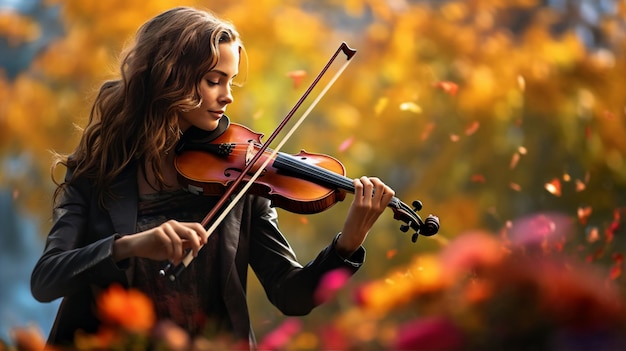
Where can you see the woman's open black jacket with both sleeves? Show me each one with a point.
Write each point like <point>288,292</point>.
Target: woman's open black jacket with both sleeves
<point>77,260</point>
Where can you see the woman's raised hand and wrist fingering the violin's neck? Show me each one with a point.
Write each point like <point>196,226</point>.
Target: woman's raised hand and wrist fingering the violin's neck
<point>371,197</point>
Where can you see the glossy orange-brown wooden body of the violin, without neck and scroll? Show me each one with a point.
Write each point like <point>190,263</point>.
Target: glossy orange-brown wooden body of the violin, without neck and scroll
<point>210,172</point>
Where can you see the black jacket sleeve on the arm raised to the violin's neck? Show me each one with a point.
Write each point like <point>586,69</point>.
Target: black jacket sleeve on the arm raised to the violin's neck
<point>290,286</point>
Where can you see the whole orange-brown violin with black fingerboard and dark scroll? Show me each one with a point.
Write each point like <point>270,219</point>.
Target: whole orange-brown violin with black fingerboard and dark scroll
<point>304,183</point>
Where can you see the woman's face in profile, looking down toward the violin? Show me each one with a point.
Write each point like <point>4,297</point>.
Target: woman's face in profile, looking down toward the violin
<point>215,91</point>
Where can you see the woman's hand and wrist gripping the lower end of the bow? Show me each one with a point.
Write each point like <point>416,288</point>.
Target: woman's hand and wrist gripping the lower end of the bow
<point>168,241</point>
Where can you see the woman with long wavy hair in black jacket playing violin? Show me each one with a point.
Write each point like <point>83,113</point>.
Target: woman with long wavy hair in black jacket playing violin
<point>121,212</point>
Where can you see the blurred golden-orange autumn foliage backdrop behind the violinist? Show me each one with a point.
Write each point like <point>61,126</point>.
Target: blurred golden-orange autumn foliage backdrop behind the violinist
<point>492,113</point>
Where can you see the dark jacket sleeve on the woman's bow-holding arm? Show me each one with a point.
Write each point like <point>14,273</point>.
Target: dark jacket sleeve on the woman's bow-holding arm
<point>74,258</point>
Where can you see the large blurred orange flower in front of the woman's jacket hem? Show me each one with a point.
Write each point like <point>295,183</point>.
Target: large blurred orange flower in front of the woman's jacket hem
<point>129,309</point>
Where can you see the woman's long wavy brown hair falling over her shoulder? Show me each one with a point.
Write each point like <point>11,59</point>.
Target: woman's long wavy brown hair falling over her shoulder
<point>134,118</point>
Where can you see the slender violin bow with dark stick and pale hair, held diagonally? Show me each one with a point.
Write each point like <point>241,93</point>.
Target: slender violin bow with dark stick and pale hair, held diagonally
<point>343,48</point>
